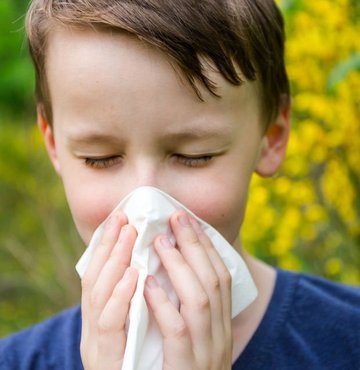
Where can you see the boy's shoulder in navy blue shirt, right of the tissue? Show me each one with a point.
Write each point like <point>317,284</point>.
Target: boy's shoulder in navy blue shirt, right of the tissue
<point>310,323</point>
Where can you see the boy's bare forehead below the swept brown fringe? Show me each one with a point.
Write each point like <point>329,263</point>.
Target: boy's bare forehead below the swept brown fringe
<point>88,66</point>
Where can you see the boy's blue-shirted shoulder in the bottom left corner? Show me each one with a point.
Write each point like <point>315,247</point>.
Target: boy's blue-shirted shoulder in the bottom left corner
<point>51,344</point>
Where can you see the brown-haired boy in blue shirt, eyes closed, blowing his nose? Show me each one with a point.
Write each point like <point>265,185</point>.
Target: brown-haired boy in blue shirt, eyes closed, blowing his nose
<point>191,97</point>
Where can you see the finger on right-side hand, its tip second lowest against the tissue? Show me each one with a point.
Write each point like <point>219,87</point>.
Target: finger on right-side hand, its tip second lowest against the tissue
<point>194,301</point>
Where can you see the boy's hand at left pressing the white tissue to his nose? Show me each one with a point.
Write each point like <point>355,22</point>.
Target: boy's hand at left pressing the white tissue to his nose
<point>107,288</point>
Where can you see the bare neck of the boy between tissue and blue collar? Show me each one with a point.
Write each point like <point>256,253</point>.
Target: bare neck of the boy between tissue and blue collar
<point>245,324</point>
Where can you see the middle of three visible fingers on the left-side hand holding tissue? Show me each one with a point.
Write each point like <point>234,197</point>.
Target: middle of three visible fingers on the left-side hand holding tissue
<point>114,268</point>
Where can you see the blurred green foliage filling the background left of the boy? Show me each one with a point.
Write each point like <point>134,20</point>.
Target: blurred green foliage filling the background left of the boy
<point>38,243</point>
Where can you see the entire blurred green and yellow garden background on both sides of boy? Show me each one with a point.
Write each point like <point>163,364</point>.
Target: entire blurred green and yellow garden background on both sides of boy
<point>307,218</point>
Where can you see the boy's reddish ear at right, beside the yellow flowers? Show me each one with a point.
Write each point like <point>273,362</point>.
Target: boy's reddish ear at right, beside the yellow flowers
<point>275,142</point>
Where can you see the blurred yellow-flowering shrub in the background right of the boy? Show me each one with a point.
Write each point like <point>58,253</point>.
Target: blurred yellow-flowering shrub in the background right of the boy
<point>308,217</point>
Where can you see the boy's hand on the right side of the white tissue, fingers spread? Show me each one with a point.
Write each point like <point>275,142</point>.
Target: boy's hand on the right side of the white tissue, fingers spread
<point>198,337</point>
